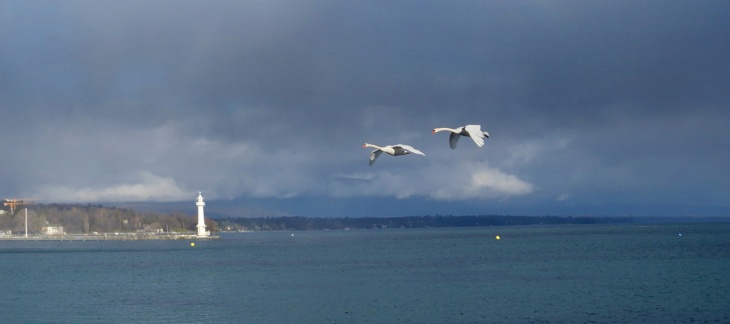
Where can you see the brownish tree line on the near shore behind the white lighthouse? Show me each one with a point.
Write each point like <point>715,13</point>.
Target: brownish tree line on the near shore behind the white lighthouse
<point>90,219</point>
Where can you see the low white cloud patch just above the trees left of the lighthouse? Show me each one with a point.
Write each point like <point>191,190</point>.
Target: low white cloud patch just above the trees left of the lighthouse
<point>148,187</point>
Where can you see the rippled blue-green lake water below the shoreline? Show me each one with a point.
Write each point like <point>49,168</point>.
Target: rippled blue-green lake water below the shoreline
<point>533,274</point>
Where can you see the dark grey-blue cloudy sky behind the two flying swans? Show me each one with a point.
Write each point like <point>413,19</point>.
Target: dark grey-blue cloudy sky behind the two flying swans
<point>594,107</point>
